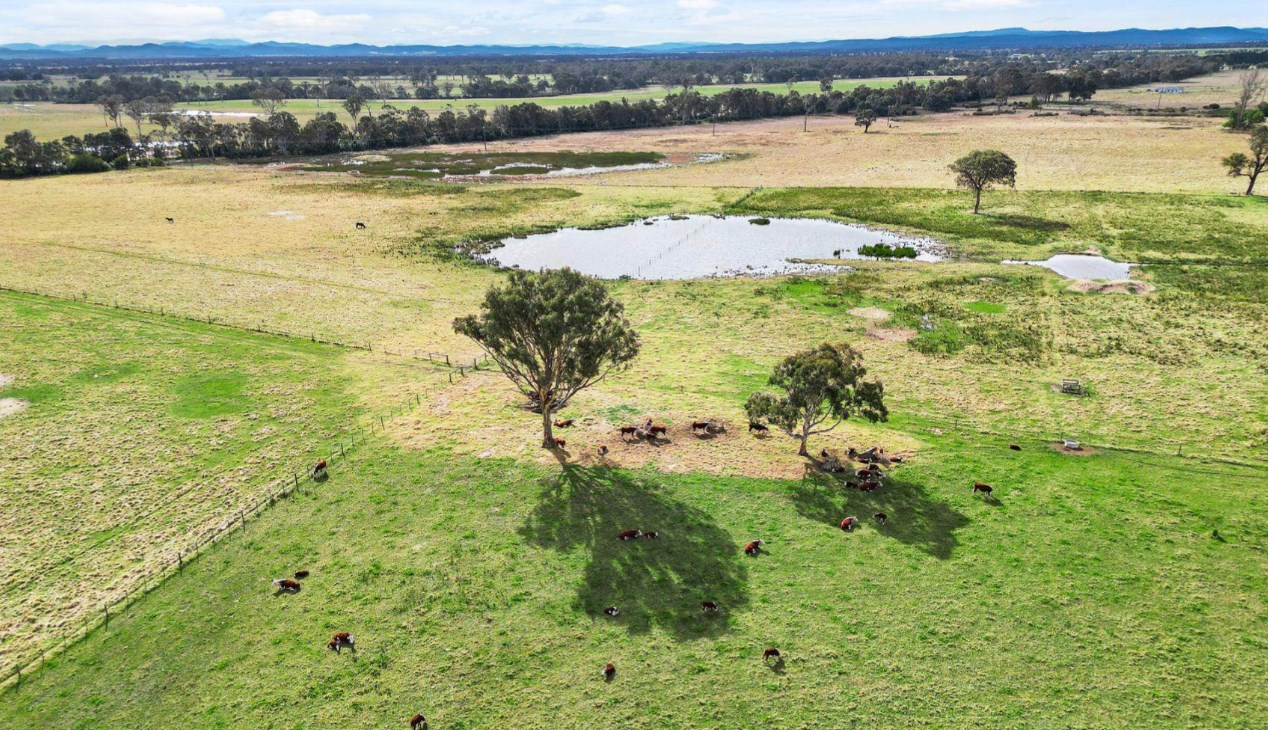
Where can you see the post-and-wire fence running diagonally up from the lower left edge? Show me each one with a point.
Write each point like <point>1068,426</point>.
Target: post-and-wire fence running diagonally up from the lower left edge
<point>283,487</point>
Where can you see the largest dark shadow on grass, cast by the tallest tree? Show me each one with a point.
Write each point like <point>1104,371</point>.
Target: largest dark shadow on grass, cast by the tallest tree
<point>654,582</point>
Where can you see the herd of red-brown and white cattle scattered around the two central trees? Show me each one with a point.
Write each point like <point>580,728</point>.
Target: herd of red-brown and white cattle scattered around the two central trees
<point>869,480</point>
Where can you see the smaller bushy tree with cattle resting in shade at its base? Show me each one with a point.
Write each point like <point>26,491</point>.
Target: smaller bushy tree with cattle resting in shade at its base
<point>820,387</point>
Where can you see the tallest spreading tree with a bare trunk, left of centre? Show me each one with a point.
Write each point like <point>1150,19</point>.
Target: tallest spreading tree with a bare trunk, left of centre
<point>553,335</point>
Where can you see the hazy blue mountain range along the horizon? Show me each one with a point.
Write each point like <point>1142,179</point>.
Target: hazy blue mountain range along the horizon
<point>1001,40</point>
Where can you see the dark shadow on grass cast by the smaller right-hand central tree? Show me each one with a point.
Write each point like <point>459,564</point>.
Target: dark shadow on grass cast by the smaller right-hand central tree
<point>915,518</point>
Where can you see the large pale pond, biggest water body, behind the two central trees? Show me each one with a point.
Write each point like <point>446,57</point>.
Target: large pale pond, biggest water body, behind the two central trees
<point>702,247</point>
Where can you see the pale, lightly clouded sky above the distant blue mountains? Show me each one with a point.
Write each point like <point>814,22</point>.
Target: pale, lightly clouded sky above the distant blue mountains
<point>590,22</point>
